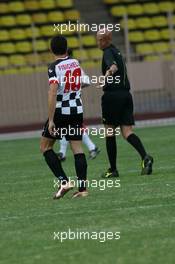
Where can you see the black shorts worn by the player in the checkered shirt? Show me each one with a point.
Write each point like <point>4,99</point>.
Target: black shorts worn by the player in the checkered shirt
<point>70,126</point>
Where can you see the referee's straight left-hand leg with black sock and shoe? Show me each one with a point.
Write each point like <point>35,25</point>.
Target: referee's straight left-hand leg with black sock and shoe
<point>111,147</point>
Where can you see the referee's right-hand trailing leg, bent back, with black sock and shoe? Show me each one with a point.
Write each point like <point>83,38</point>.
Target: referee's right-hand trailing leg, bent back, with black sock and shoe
<point>134,140</point>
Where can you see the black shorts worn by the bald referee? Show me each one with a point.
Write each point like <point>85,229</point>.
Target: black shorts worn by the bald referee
<point>117,108</point>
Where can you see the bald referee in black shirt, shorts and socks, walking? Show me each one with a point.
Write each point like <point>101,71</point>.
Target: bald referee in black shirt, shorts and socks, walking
<point>117,105</point>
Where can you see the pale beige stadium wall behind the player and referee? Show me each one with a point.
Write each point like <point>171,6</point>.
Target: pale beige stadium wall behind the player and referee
<point>23,98</point>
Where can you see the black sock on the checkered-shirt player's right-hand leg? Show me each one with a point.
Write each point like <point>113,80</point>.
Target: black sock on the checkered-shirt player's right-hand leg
<point>81,170</point>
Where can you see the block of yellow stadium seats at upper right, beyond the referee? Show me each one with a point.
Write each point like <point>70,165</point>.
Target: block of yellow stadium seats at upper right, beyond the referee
<point>148,25</point>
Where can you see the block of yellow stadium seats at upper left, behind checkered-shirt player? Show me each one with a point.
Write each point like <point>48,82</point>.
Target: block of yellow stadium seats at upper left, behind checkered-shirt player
<point>26,28</point>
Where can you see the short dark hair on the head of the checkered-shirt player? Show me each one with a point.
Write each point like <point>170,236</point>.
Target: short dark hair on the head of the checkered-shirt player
<point>58,45</point>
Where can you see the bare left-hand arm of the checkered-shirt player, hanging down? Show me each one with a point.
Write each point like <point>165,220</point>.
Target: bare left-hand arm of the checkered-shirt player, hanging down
<point>52,98</point>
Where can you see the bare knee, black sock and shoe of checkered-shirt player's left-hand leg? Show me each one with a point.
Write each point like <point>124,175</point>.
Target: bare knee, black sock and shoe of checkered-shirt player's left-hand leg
<point>46,147</point>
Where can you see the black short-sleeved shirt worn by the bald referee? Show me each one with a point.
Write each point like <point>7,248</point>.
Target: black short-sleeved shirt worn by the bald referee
<point>111,55</point>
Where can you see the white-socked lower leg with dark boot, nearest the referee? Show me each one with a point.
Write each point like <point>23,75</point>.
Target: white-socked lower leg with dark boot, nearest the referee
<point>93,149</point>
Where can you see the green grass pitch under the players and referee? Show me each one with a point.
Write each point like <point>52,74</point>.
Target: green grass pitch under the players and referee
<point>142,209</point>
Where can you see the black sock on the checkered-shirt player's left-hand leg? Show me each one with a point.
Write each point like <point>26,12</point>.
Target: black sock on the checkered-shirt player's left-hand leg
<point>55,165</point>
